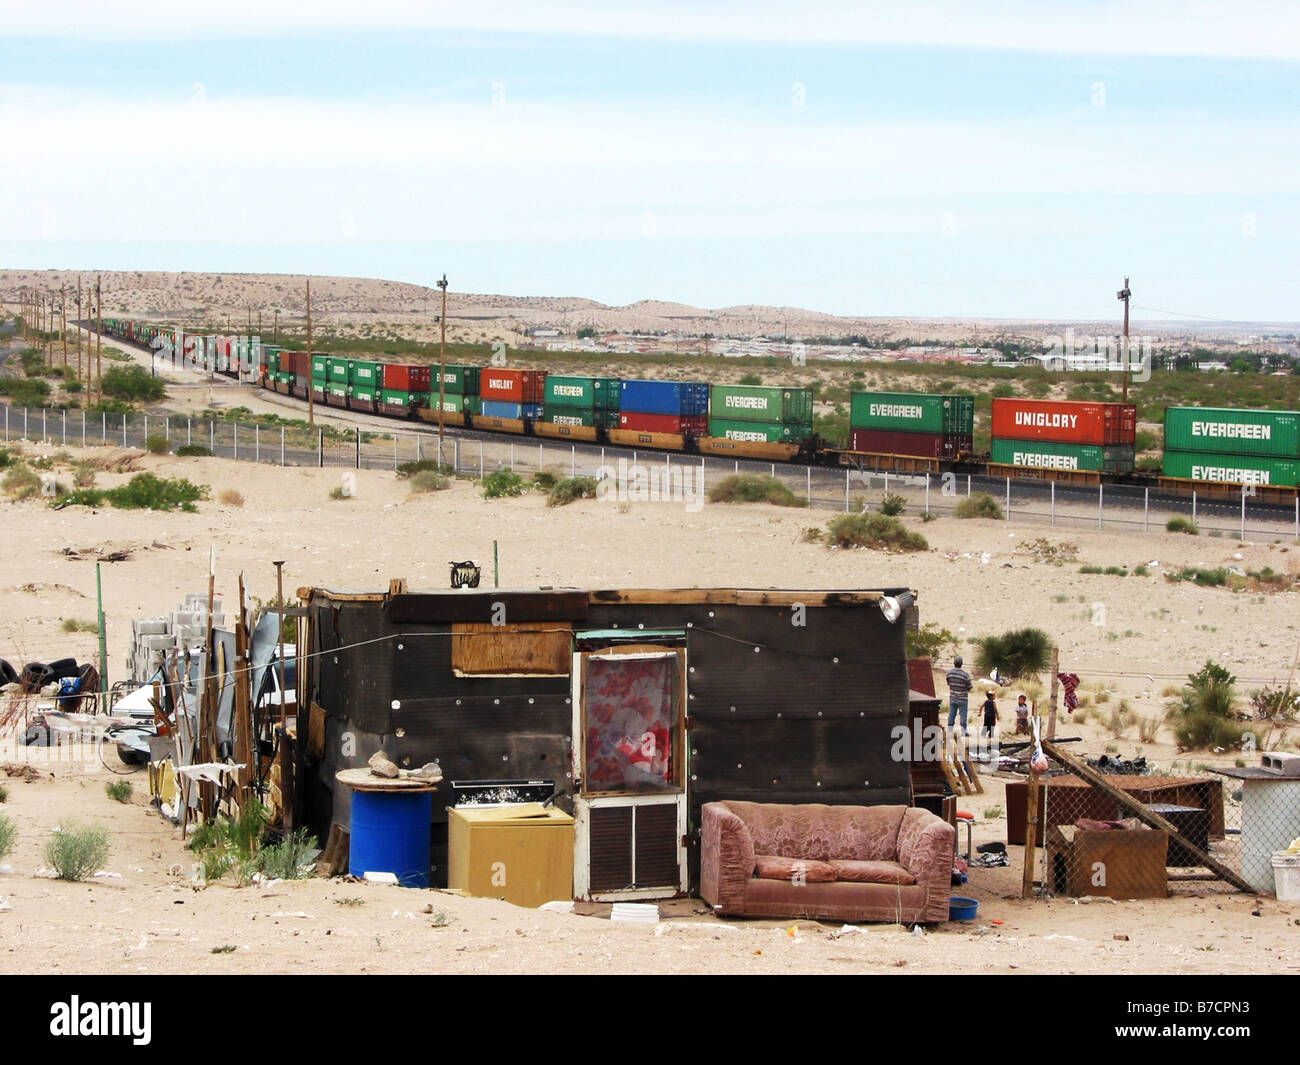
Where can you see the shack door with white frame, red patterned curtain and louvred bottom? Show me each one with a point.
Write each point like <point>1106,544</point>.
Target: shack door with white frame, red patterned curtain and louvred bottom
<point>630,772</point>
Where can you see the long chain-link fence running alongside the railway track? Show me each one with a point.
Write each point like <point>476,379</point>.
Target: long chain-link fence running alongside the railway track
<point>661,475</point>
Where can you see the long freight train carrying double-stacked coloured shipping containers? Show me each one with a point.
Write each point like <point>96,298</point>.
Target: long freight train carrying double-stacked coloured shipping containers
<point>1217,453</point>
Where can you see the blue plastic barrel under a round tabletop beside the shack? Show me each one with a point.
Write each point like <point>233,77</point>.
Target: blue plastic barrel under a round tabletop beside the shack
<point>391,834</point>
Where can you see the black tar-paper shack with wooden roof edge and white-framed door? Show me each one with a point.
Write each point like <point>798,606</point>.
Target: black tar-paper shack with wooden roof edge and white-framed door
<point>640,704</point>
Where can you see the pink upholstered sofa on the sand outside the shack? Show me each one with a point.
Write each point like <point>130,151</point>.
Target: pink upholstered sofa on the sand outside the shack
<point>843,863</point>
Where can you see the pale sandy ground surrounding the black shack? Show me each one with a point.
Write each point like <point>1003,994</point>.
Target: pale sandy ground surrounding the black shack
<point>977,579</point>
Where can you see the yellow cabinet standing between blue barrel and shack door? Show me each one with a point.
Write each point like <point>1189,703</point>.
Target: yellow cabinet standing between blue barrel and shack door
<point>522,854</point>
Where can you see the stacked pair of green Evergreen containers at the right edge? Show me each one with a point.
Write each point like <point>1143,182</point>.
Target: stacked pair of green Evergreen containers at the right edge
<point>1229,447</point>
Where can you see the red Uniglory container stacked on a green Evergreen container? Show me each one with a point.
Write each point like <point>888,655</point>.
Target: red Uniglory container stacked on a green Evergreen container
<point>1065,435</point>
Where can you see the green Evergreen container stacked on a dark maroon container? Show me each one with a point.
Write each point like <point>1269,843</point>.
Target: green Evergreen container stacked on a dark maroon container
<point>920,425</point>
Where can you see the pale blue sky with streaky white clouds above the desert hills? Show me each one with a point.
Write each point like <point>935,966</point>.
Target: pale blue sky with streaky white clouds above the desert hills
<point>883,159</point>
